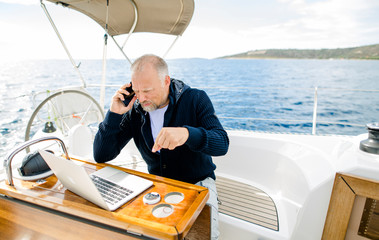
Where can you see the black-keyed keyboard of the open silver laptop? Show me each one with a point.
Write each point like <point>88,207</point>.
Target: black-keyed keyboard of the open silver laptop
<point>111,192</point>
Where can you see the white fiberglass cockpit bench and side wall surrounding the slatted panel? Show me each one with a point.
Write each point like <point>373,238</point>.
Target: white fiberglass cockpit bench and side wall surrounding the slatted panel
<point>297,172</point>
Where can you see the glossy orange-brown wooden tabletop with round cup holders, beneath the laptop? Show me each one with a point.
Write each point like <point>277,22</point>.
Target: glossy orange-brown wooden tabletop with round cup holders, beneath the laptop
<point>134,216</point>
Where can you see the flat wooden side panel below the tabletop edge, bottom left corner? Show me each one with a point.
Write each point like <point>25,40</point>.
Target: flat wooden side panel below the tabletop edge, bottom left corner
<point>20,221</point>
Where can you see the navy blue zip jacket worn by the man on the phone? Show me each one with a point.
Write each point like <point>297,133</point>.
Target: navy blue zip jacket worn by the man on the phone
<point>188,107</point>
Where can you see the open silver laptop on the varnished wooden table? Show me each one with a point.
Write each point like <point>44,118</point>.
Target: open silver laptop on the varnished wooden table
<point>108,187</point>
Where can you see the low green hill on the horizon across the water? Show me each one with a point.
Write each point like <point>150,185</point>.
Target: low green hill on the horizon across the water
<point>363,52</point>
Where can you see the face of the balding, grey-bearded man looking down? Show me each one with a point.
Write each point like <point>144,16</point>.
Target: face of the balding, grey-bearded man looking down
<point>149,89</point>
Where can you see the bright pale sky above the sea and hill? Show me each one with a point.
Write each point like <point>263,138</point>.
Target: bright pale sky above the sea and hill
<point>218,28</point>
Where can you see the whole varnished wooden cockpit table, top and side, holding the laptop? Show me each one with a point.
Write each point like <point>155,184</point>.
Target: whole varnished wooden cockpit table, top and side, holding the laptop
<point>47,210</point>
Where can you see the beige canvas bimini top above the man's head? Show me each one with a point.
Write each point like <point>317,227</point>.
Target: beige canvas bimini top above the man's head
<point>126,16</point>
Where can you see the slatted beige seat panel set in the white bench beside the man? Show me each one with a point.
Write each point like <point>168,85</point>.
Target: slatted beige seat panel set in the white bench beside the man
<point>247,203</point>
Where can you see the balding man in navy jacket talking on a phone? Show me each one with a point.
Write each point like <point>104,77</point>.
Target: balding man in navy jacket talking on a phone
<point>173,126</point>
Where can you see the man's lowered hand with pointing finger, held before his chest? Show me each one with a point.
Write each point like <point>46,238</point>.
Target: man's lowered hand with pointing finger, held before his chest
<point>170,138</point>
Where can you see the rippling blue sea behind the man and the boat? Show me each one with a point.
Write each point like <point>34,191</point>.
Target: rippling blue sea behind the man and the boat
<point>269,95</point>
